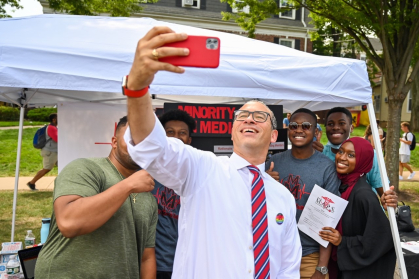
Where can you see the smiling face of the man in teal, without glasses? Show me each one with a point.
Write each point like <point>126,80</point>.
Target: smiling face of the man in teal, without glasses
<point>338,127</point>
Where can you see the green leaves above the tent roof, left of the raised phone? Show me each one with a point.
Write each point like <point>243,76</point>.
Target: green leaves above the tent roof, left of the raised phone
<point>96,7</point>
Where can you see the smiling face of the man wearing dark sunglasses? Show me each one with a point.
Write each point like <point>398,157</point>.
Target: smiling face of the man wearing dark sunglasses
<point>300,137</point>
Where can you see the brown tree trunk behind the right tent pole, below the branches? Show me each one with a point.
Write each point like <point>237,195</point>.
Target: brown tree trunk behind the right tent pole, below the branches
<point>393,142</point>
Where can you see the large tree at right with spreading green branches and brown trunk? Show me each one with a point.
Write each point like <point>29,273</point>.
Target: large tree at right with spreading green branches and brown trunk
<point>396,24</point>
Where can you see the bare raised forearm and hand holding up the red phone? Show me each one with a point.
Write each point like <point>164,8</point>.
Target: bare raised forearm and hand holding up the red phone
<point>146,64</point>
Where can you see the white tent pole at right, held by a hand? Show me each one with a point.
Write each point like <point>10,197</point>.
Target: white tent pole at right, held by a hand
<point>384,179</point>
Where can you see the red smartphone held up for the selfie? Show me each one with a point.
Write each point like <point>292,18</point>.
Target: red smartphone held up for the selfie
<point>204,52</point>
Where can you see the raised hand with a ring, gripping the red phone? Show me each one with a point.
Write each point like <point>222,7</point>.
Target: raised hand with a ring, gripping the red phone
<point>149,49</point>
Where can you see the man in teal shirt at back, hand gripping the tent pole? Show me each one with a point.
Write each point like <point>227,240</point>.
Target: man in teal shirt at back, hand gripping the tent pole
<point>338,128</point>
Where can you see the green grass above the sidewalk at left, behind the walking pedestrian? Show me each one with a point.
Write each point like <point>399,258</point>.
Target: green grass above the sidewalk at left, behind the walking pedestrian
<point>30,160</point>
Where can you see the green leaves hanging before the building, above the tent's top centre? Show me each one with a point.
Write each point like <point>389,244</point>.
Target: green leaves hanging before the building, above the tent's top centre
<point>259,11</point>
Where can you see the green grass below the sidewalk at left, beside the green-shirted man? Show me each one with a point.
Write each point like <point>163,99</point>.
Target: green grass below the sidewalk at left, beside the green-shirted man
<point>31,208</point>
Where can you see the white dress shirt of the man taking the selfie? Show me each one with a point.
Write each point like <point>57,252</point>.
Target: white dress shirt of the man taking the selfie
<point>215,224</point>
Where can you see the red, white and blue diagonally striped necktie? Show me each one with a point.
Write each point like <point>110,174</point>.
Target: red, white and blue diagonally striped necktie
<point>260,225</point>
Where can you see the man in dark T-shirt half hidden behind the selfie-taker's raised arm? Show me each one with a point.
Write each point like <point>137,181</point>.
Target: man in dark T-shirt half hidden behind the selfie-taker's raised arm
<point>177,124</point>
